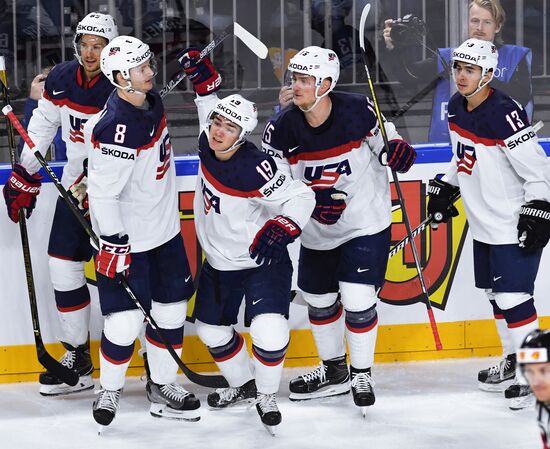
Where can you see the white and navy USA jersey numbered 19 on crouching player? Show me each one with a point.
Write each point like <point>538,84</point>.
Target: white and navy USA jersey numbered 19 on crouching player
<point>234,198</point>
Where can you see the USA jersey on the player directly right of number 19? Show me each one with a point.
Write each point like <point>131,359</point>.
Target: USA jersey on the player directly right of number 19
<point>341,153</point>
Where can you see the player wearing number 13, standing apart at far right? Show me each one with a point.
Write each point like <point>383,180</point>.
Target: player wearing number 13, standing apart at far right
<point>504,180</point>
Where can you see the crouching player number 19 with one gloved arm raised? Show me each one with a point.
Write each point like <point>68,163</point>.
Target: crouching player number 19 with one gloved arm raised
<point>246,213</point>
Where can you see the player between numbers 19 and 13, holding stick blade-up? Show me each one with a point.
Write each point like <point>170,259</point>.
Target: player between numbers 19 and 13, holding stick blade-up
<point>332,142</point>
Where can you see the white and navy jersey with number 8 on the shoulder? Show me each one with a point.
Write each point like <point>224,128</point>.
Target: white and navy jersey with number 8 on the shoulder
<point>131,173</point>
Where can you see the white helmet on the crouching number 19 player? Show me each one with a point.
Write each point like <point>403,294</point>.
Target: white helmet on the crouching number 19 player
<point>238,110</point>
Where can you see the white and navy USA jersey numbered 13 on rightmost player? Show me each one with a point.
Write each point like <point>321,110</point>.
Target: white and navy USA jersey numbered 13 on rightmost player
<point>497,163</point>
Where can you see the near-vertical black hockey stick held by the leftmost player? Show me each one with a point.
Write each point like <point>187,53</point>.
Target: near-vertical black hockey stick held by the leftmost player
<point>60,371</point>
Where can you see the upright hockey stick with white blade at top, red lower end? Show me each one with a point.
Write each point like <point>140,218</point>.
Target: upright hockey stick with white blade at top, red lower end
<point>433,324</point>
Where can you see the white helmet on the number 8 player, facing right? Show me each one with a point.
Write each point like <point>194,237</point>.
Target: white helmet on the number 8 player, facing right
<point>121,55</point>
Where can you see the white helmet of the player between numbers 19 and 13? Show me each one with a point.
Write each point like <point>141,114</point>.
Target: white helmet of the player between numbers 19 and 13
<point>318,62</point>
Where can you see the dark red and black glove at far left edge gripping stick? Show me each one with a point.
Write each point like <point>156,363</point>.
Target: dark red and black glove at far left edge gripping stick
<point>21,191</point>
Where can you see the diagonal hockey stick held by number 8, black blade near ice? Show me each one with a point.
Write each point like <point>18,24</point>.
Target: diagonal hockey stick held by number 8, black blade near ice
<point>214,381</point>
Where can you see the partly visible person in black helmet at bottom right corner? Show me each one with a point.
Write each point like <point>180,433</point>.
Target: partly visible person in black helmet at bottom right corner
<point>534,362</point>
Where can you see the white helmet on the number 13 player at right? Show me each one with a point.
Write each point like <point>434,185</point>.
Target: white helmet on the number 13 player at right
<point>478,52</point>
